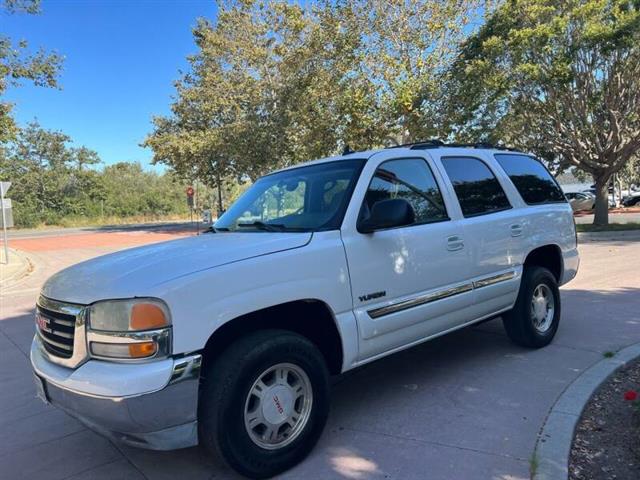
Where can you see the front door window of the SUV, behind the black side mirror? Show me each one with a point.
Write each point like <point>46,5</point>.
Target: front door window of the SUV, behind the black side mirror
<point>411,180</point>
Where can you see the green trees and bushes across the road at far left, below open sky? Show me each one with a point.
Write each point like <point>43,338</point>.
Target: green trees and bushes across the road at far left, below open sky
<point>53,181</point>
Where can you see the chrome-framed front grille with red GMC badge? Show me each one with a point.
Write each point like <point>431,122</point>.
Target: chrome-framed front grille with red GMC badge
<point>61,330</point>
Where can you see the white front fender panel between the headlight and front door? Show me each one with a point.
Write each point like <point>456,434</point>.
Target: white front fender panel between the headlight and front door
<point>204,301</point>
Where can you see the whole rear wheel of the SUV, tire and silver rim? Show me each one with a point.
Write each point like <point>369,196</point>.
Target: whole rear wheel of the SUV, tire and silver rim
<point>535,317</point>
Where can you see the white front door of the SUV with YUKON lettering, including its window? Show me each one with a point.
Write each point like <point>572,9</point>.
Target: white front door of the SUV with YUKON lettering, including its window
<point>408,282</point>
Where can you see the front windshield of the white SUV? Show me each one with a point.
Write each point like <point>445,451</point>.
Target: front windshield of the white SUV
<point>301,199</point>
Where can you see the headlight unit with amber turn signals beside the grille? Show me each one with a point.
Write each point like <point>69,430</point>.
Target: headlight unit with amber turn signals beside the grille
<point>134,329</point>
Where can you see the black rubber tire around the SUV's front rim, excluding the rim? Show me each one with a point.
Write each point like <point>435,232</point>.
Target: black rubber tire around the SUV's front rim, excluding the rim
<point>224,391</point>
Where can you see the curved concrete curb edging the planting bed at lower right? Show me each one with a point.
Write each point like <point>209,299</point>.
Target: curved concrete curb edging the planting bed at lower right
<point>554,441</point>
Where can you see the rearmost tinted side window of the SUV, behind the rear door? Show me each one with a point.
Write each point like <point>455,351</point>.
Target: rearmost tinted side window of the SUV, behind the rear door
<point>533,181</point>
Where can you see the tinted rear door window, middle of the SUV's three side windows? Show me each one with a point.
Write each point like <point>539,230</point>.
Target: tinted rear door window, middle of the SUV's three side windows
<point>477,188</point>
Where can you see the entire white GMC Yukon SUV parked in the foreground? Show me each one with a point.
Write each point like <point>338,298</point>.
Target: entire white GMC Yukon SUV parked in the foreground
<point>228,339</point>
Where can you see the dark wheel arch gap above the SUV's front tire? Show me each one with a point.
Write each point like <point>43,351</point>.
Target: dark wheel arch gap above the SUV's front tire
<point>310,318</point>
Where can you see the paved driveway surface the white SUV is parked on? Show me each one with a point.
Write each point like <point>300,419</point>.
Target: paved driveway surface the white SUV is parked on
<point>466,406</point>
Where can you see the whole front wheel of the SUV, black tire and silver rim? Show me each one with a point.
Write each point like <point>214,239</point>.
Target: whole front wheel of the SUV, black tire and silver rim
<point>264,403</point>
